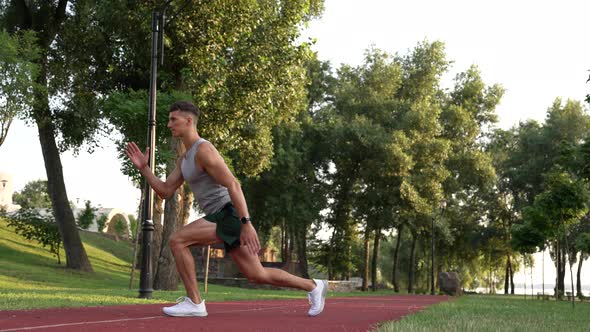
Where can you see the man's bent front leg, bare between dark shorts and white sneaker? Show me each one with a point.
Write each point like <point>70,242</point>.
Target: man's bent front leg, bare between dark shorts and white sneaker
<point>200,232</point>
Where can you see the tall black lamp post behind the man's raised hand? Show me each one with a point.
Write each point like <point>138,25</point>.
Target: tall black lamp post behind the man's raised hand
<point>158,24</point>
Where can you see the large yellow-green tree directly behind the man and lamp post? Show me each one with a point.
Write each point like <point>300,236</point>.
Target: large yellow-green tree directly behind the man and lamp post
<point>244,70</point>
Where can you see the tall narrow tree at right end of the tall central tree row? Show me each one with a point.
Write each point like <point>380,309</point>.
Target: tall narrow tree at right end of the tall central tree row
<point>468,114</point>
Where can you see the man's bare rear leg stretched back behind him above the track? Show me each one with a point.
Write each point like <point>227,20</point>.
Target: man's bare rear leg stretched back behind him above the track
<point>253,270</point>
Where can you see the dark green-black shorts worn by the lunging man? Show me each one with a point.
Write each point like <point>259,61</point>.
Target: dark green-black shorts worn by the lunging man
<point>229,226</point>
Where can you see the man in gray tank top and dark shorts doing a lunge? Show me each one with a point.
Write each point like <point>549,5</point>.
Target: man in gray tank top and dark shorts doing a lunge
<point>227,220</point>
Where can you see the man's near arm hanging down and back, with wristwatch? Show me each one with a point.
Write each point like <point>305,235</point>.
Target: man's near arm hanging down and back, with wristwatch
<point>212,162</point>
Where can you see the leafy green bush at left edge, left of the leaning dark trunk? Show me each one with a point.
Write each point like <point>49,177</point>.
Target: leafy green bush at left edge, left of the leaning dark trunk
<point>31,225</point>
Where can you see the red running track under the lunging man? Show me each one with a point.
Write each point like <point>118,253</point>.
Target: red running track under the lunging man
<point>340,314</point>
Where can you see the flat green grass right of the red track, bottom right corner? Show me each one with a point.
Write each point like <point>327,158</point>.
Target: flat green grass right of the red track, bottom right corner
<point>496,313</point>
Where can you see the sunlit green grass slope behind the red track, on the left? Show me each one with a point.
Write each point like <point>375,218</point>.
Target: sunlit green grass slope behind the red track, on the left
<point>31,278</point>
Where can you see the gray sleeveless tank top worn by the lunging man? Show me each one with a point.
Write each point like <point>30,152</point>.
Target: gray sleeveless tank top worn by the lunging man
<point>210,195</point>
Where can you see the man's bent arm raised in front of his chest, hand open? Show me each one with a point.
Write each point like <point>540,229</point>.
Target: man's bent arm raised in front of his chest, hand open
<point>164,189</point>
